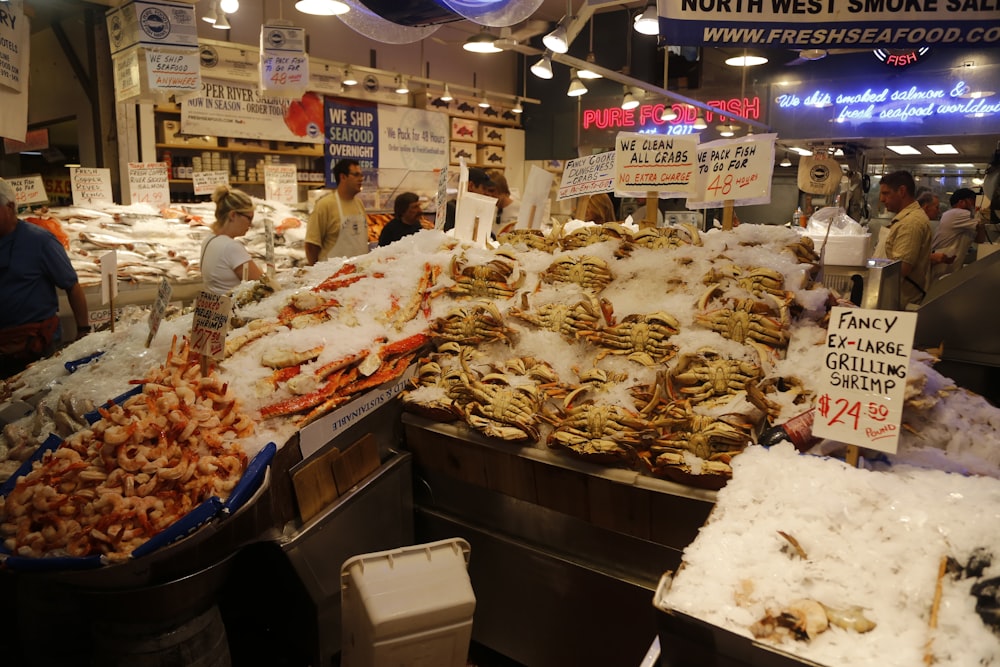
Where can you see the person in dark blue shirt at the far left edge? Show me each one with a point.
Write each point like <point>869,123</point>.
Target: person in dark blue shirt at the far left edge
<point>32,265</point>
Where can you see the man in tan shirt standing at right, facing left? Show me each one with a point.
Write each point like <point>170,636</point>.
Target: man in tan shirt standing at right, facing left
<point>908,236</point>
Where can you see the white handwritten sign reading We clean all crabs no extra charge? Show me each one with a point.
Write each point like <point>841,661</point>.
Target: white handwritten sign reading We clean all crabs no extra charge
<point>653,162</point>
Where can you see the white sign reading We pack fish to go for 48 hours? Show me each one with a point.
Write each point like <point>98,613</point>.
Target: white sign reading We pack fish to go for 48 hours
<point>736,170</point>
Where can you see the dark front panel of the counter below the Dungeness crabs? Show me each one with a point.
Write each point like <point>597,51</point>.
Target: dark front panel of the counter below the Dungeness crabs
<point>566,554</point>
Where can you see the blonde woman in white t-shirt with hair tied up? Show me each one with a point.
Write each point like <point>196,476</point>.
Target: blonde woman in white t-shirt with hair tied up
<point>225,262</point>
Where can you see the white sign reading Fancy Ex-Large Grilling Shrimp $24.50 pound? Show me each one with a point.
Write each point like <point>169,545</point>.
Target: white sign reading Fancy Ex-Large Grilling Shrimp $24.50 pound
<point>867,360</point>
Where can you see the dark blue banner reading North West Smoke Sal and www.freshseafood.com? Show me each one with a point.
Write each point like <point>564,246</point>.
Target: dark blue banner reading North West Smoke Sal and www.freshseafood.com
<point>821,24</point>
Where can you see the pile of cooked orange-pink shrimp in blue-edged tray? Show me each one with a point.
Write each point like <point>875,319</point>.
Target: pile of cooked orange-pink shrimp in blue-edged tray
<point>143,465</point>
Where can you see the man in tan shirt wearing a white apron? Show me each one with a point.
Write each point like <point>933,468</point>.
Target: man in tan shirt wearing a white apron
<point>338,226</point>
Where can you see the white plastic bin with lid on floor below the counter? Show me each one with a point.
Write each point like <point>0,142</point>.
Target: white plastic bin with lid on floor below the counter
<point>408,607</point>
